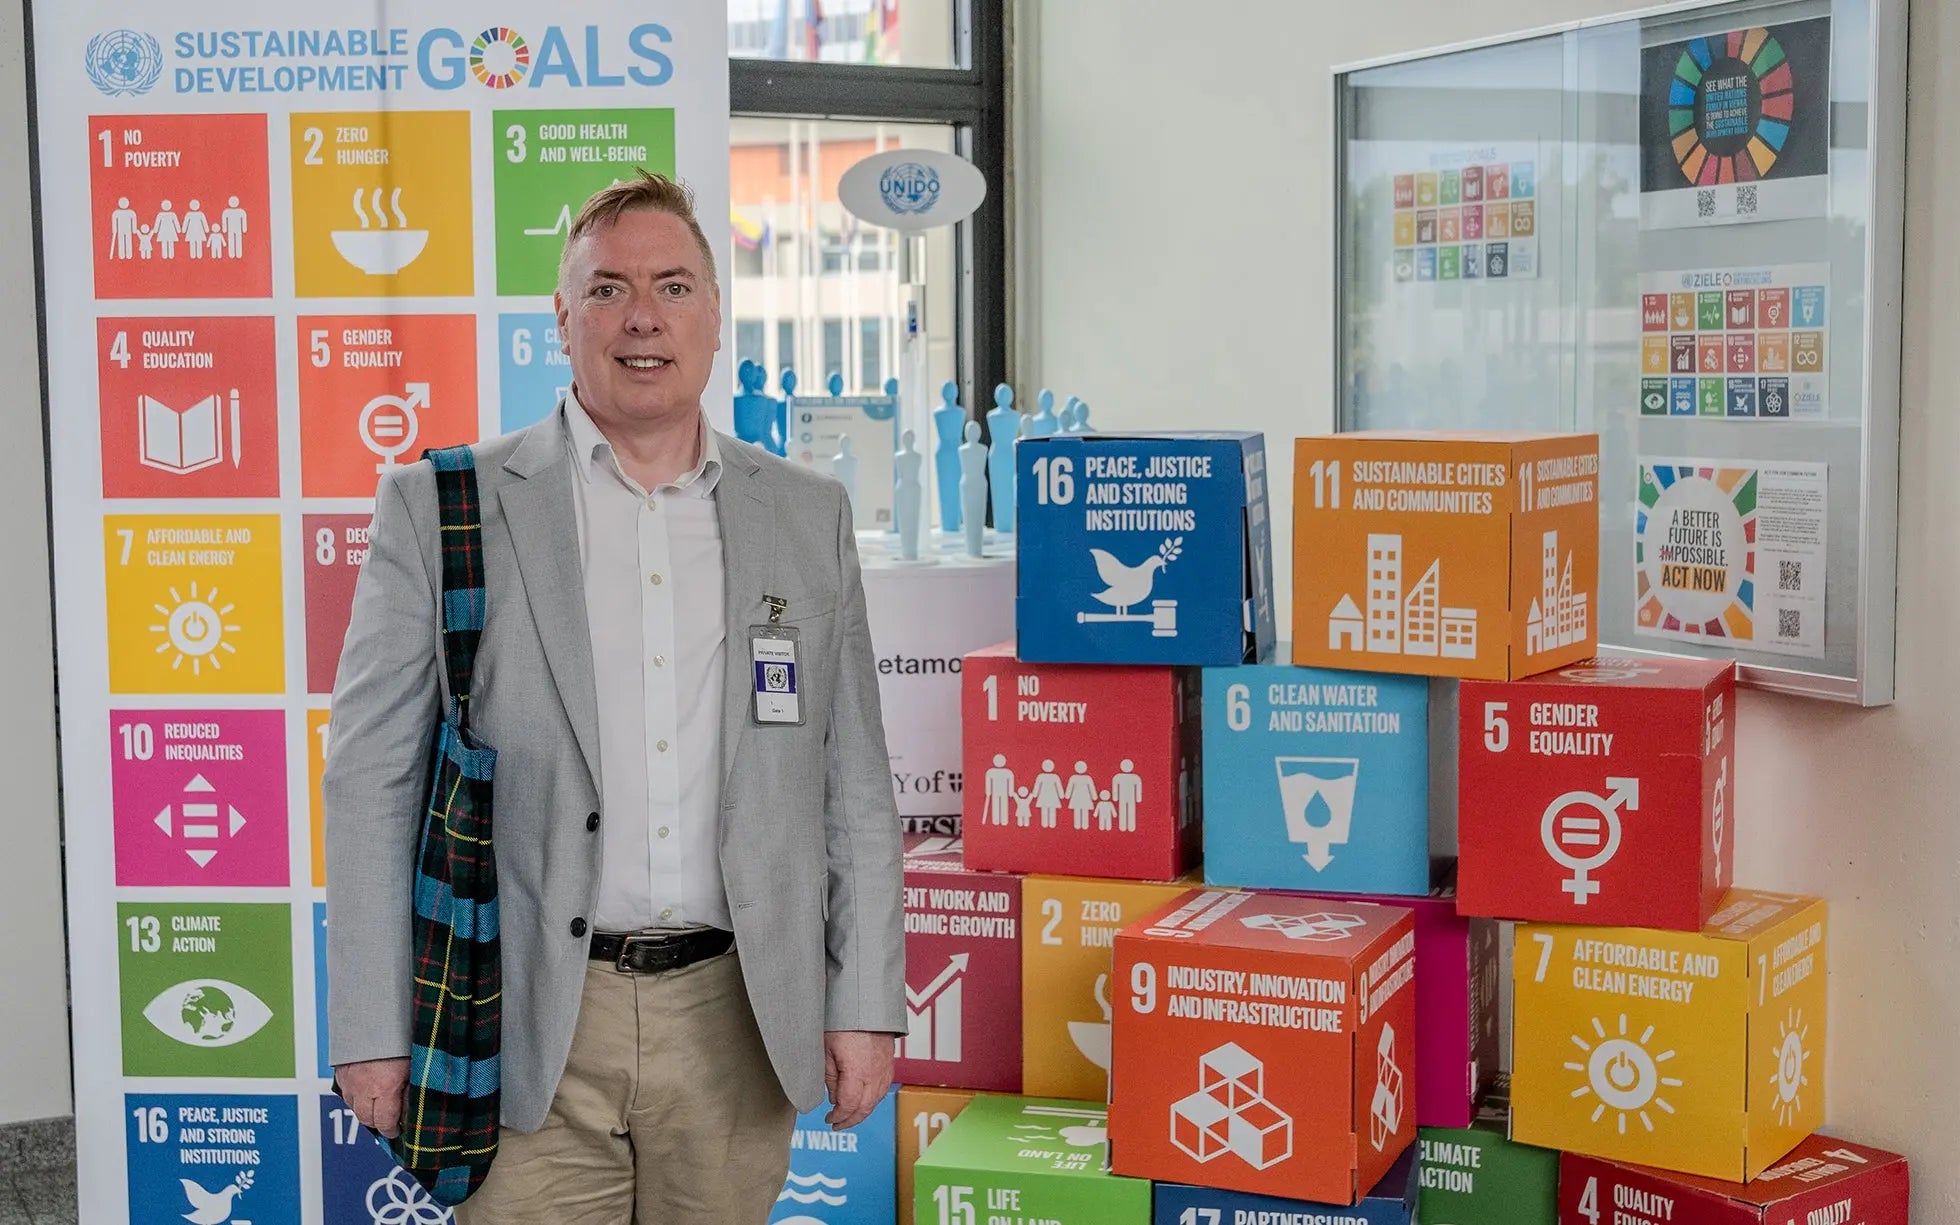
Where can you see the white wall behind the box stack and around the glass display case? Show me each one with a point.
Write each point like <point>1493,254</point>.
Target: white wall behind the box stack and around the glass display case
<point>1177,260</point>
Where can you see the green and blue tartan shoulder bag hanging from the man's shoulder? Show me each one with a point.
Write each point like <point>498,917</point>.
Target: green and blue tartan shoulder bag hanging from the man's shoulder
<point>450,1128</point>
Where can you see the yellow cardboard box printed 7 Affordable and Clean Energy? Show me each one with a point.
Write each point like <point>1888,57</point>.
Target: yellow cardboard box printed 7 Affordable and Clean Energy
<point>1694,1052</point>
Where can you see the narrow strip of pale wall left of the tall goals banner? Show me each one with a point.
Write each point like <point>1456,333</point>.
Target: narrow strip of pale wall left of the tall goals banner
<point>34,995</point>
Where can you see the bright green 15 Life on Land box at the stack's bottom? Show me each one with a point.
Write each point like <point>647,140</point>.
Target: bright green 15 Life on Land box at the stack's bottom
<point>1026,1161</point>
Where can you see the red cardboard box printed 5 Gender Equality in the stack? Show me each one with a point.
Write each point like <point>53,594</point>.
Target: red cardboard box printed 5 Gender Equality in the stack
<point>1598,795</point>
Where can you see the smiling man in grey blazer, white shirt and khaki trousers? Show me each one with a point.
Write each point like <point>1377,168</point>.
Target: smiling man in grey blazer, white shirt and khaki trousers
<point>701,899</point>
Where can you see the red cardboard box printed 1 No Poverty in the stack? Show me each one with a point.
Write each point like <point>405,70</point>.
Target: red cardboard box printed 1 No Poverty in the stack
<point>1079,769</point>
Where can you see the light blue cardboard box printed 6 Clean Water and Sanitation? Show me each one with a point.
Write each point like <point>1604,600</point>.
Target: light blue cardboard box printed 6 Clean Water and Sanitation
<point>1316,779</point>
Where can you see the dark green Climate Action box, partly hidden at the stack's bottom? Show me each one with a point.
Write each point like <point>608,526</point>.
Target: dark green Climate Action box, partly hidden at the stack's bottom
<point>1479,1177</point>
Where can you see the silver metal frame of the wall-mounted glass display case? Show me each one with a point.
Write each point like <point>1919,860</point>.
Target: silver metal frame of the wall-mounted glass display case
<point>1885,250</point>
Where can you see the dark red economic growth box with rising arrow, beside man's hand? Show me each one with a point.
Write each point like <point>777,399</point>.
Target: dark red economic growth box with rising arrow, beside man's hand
<point>963,973</point>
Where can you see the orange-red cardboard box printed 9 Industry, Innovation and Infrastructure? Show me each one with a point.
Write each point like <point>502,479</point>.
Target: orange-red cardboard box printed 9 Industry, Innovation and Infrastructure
<point>1265,1044</point>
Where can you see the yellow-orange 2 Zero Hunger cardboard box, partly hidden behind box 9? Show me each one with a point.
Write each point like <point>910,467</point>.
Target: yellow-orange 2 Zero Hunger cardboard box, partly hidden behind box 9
<point>1067,938</point>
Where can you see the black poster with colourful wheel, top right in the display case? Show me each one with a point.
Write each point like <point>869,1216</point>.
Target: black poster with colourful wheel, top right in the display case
<point>1738,126</point>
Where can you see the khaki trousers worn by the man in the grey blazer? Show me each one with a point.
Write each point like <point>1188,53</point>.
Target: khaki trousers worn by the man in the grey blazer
<point>669,1112</point>
